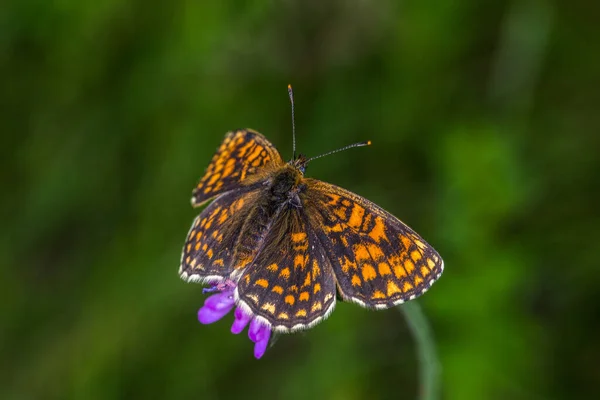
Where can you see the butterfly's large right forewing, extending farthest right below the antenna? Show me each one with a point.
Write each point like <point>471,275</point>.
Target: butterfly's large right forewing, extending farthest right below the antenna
<point>378,260</point>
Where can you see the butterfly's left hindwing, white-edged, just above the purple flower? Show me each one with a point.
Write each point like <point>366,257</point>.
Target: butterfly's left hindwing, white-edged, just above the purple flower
<point>208,252</point>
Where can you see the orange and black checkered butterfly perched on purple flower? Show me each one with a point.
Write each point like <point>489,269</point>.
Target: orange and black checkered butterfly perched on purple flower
<point>293,245</point>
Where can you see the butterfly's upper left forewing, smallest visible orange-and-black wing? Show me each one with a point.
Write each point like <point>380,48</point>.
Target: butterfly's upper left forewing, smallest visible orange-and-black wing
<point>244,158</point>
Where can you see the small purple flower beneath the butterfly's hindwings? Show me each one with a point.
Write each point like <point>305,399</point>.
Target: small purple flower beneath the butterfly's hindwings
<point>220,304</point>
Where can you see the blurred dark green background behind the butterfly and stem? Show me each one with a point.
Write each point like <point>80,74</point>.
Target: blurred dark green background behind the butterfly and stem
<point>485,122</point>
